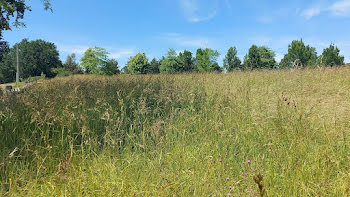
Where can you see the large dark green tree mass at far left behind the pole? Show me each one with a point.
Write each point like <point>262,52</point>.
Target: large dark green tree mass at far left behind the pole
<point>35,57</point>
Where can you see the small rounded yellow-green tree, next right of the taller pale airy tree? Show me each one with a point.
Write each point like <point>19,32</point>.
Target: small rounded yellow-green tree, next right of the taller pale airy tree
<point>137,64</point>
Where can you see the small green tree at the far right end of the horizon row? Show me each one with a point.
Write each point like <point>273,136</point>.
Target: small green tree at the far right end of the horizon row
<point>331,57</point>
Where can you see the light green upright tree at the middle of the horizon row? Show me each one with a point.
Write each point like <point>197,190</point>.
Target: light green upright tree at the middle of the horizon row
<point>206,60</point>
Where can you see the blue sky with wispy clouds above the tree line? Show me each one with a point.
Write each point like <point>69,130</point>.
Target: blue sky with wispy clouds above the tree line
<point>127,27</point>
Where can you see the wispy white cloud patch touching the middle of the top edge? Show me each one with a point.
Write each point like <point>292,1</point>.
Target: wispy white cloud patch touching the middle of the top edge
<point>196,11</point>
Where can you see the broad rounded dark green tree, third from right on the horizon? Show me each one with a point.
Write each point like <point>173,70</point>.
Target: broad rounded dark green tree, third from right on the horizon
<point>259,58</point>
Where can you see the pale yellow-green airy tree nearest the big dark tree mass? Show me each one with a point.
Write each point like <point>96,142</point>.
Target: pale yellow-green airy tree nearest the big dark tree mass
<point>95,61</point>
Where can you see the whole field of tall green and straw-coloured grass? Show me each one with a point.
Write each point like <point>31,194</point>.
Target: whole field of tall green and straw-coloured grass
<point>261,133</point>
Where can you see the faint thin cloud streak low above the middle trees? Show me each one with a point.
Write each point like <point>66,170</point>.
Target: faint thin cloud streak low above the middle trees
<point>185,41</point>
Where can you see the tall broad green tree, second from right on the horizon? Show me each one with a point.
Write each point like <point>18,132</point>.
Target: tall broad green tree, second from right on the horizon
<point>299,54</point>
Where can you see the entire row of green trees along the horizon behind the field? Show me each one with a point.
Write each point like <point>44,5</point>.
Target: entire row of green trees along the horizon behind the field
<point>41,57</point>
